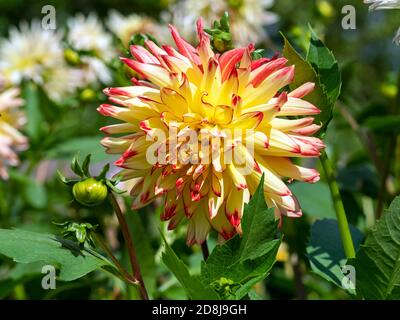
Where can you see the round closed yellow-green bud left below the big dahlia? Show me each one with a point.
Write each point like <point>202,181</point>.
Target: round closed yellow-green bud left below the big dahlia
<point>90,192</point>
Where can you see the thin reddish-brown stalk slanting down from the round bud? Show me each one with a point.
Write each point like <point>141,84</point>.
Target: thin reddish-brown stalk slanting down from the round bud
<point>131,248</point>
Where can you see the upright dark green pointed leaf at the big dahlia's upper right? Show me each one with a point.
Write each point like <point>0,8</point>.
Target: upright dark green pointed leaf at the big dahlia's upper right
<point>326,66</point>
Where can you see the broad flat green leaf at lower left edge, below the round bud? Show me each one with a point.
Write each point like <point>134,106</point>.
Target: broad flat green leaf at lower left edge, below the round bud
<point>30,247</point>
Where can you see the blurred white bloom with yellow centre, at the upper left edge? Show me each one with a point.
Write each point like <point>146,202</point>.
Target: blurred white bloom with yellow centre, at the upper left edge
<point>29,53</point>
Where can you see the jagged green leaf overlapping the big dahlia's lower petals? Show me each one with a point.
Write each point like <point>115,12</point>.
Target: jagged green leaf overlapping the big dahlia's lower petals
<point>247,260</point>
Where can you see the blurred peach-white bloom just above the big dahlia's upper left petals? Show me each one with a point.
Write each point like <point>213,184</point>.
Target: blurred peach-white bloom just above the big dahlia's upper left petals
<point>124,27</point>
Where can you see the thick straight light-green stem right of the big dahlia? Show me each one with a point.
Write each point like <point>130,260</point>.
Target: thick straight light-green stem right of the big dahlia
<point>339,208</point>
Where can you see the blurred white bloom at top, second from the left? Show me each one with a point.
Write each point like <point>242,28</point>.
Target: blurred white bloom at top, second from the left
<point>88,34</point>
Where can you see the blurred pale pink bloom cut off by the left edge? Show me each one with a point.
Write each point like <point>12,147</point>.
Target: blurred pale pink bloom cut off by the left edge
<point>11,140</point>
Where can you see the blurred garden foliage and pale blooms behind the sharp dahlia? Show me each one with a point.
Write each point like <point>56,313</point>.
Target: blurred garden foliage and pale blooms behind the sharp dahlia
<point>61,74</point>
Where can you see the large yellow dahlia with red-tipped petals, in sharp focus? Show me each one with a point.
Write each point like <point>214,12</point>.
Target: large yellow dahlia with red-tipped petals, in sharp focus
<point>179,125</point>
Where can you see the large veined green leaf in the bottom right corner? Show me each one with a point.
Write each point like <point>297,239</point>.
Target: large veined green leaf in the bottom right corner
<point>377,262</point>
